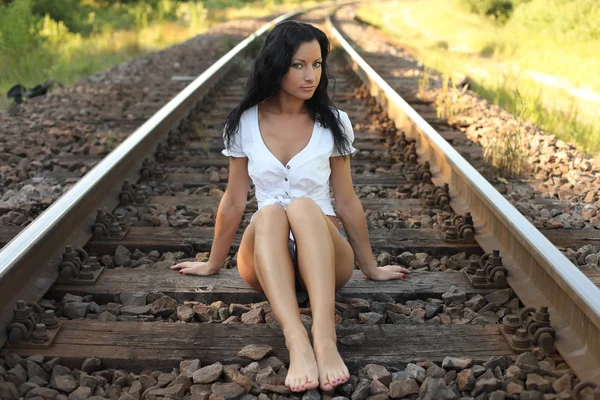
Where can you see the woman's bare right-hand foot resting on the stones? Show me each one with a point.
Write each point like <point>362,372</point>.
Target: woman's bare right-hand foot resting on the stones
<point>332,370</point>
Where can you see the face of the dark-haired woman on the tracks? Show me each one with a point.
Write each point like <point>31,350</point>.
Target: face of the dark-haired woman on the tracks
<point>304,74</point>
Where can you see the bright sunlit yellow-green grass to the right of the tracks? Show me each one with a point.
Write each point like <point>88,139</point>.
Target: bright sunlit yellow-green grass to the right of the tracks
<point>537,58</point>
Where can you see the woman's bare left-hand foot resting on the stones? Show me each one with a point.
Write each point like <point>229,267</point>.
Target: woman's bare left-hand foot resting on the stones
<point>303,373</point>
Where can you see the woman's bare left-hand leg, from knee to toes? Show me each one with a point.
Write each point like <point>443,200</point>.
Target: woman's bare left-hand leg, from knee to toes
<point>275,274</point>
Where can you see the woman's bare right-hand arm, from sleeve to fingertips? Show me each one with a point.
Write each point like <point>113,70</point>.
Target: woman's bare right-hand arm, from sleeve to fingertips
<point>351,213</point>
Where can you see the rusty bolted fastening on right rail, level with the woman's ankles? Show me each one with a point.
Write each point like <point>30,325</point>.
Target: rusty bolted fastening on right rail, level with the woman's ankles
<point>531,328</point>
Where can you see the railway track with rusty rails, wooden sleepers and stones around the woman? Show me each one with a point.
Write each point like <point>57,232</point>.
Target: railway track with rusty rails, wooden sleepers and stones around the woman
<point>435,335</point>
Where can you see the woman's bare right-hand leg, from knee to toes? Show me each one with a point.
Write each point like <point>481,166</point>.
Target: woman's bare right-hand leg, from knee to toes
<point>316,259</point>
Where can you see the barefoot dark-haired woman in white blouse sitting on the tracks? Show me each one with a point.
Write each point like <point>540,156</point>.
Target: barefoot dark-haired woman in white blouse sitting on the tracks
<point>288,138</point>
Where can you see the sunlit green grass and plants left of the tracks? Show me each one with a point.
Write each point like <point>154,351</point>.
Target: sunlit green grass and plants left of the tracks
<point>120,32</point>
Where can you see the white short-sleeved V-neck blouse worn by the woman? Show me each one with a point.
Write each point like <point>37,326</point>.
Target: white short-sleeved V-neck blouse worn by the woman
<point>305,175</point>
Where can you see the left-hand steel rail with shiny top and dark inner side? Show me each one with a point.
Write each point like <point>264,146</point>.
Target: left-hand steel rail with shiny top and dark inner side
<point>29,262</point>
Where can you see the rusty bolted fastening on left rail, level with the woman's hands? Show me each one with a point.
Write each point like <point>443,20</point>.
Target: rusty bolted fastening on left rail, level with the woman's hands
<point>78,268</point>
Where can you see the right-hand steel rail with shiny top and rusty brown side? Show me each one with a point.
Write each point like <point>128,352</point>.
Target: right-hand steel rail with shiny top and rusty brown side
<point>538,273</point>
